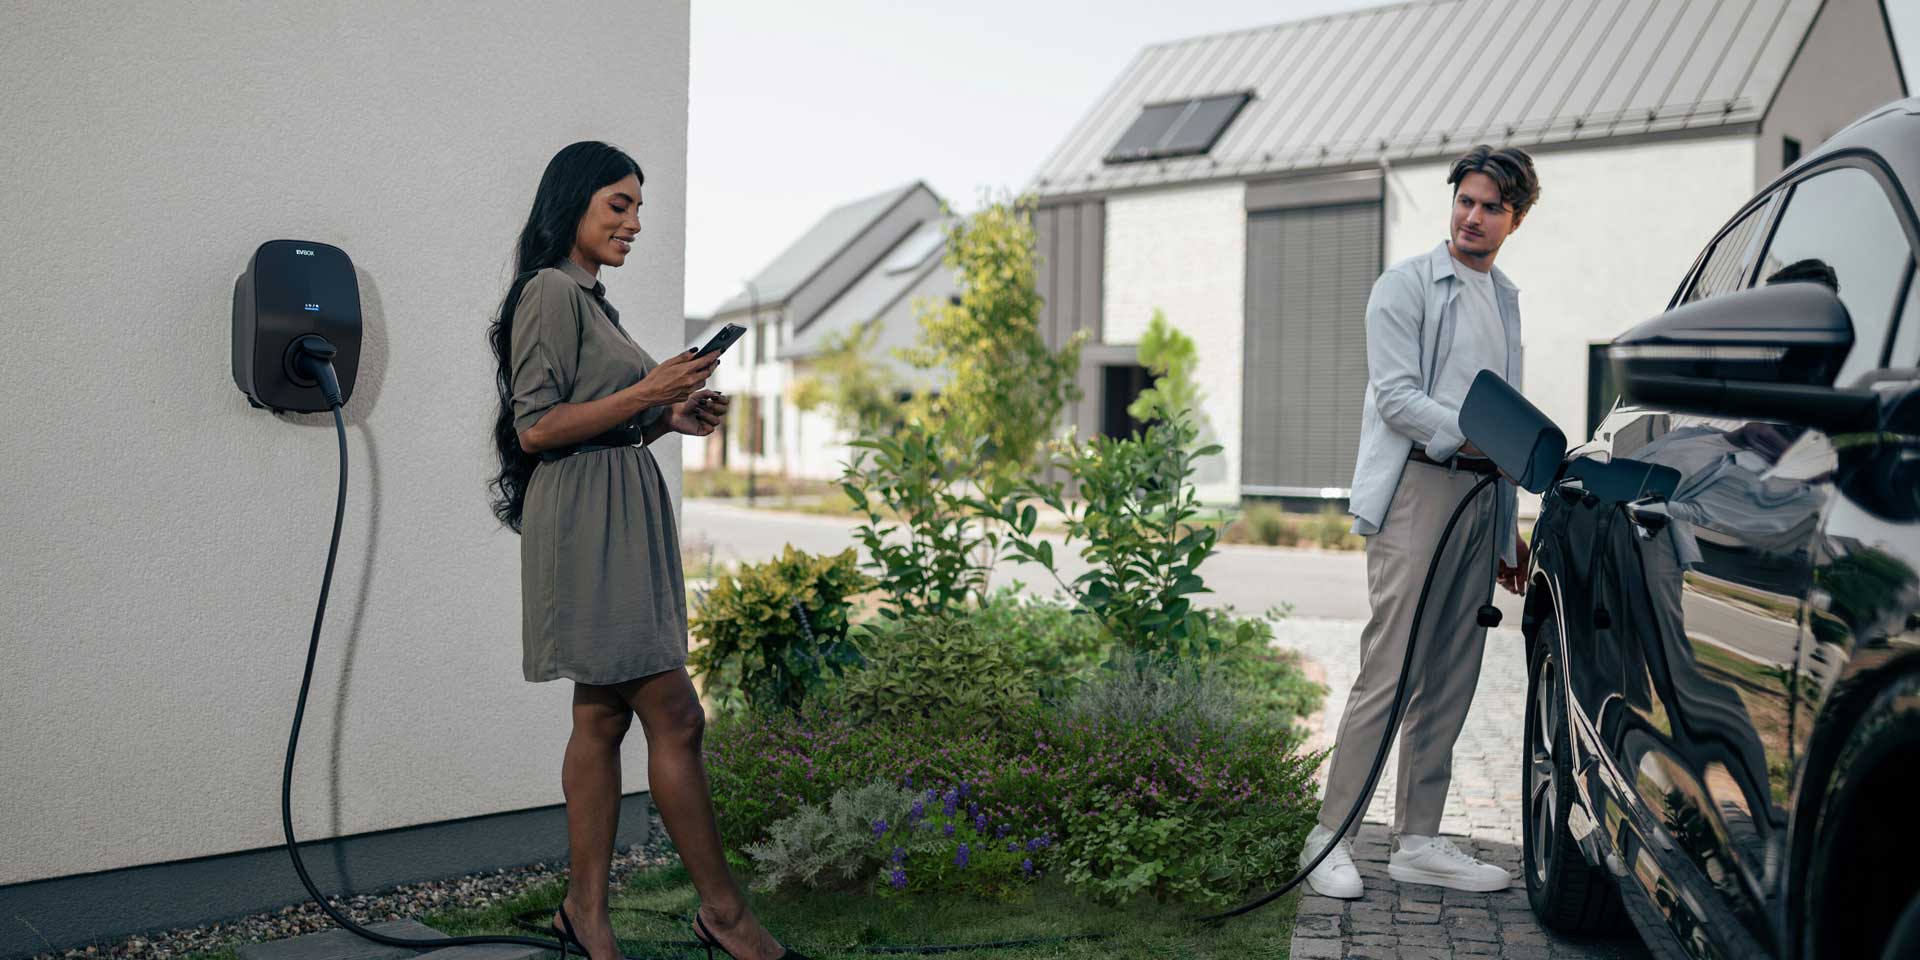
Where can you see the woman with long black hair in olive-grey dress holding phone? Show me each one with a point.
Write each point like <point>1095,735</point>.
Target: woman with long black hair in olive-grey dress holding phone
<point>600,562</point>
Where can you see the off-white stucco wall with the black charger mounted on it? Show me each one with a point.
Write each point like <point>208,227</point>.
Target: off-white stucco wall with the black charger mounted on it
<point>164,542</point>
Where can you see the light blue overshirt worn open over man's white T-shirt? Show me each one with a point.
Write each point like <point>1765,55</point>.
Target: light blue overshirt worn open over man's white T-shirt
<point>1410,339</point>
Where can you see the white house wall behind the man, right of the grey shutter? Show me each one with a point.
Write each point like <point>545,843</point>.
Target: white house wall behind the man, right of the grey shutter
<point>1612,237</point>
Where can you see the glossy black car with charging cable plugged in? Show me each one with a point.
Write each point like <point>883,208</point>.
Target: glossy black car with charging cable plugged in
<point>1723,729</point>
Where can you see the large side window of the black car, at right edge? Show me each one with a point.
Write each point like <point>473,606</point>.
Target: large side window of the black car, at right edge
<point>1840,229</point>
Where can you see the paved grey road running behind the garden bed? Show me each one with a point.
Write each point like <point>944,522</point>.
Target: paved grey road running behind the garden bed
<point>1332,585</point>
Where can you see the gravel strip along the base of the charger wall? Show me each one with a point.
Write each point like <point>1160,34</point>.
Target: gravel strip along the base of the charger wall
<point>396,903</point>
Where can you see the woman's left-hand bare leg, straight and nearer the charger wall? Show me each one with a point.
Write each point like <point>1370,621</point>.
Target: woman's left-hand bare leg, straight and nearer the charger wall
<point>590,777</point>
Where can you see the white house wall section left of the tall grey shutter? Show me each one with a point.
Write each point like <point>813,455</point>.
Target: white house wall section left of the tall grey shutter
<point>1184,251</point>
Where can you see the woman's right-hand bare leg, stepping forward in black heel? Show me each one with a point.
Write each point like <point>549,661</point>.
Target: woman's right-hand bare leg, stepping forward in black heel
<point>675,723</point>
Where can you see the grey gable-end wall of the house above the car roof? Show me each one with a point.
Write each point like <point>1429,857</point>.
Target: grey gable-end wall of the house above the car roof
<point>1844,70</point>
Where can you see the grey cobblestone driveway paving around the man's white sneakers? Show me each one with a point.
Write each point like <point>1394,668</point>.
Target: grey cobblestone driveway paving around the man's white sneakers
<point>1483,815</point>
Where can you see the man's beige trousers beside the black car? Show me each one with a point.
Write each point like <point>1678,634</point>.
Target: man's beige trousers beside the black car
<point>1447,663</point>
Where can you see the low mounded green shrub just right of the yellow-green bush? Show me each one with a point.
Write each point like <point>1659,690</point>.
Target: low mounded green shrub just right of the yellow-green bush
<point>940,667</point>
